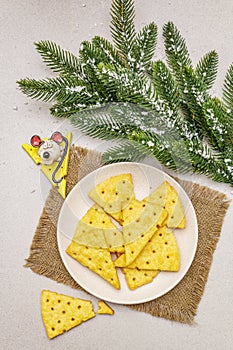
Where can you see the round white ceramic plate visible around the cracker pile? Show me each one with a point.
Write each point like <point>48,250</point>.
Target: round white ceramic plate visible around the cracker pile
<point>146,178</point>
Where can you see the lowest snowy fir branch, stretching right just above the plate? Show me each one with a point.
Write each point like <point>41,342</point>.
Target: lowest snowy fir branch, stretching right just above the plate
<point>173,152</point>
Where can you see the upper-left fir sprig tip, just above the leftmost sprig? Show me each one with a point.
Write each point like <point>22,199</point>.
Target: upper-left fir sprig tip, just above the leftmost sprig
<point>59,60</point>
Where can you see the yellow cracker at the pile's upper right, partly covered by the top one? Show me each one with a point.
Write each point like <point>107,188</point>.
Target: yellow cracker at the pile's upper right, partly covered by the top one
<point>165,195</point>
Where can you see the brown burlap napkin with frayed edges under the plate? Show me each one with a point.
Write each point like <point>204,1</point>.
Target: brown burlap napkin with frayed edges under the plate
<point>181,303</point>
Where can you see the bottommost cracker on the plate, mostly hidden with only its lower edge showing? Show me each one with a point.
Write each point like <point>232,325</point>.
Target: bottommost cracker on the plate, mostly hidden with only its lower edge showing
<point>136,278</point>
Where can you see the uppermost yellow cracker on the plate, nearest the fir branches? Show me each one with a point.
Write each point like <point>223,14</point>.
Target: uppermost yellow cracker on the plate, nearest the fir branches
<point>114,194</point>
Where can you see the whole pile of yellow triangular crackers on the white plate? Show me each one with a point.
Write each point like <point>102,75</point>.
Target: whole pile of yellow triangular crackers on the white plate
<point>121,232</point>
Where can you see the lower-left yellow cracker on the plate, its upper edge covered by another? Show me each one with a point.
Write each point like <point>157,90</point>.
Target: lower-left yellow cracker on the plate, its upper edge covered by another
<point>97,260</point>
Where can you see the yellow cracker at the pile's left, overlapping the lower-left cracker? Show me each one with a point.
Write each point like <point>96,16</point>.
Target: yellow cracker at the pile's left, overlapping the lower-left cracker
<point>95,229</point>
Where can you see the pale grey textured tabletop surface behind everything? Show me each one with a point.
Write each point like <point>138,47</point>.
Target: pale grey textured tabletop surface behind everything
<point>206,25</point>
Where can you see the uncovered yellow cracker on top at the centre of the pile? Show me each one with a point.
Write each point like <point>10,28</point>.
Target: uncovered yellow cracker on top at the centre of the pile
<point>140,221</point>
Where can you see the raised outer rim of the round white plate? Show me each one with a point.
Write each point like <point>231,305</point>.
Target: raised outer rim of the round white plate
<point>149,298</point>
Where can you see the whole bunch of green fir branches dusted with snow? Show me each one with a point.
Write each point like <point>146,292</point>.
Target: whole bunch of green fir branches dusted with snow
<point>118,90</point>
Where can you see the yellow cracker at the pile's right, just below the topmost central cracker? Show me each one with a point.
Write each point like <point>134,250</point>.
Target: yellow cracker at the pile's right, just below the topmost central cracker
<point>160,253</point>
